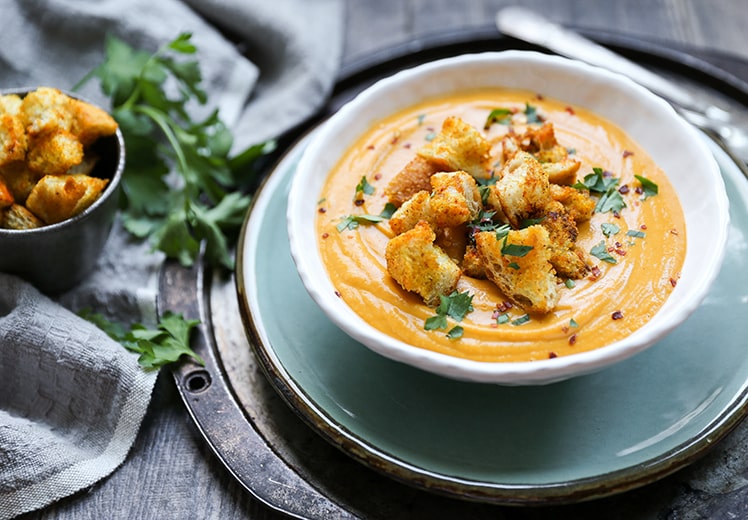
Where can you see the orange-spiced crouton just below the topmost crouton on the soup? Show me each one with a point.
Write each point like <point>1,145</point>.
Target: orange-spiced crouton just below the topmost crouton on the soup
<point>455,198</point>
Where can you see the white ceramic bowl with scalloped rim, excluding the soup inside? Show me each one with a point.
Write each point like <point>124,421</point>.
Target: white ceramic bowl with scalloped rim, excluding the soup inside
<point>674,145</point>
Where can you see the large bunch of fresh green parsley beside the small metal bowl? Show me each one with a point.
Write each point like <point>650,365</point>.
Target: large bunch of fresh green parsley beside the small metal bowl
<point>151,97</point>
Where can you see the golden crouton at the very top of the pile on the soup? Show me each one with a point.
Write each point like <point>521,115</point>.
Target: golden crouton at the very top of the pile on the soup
<point>459,146</point>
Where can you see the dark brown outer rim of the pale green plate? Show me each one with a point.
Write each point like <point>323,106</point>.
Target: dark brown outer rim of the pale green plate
<point>364,451</point>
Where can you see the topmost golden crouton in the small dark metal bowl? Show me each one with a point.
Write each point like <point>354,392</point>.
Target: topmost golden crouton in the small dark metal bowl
<point>46,110</point>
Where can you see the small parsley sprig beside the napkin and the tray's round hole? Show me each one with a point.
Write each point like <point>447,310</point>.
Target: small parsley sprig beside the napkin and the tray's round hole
<point>165,344</point>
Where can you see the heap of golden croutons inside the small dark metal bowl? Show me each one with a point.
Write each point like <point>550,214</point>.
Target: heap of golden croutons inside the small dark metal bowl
<point>45,158</point>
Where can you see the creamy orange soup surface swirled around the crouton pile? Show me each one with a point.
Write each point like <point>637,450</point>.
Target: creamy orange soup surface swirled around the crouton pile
<point>609,304</point>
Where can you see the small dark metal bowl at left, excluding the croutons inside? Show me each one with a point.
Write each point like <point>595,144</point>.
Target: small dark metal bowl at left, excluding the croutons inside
<point>57,257</point>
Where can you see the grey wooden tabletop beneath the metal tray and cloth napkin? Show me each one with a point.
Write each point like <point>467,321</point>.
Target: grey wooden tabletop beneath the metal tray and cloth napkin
<point>171,473</point>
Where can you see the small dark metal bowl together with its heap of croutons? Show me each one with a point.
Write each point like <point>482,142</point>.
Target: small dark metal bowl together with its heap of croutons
<point>61,160</point>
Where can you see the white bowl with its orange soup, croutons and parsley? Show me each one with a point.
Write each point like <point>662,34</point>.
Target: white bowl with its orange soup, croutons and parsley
<point>511,217</point>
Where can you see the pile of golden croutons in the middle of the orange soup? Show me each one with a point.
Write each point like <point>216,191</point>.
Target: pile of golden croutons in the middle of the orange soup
<point>509,216</point>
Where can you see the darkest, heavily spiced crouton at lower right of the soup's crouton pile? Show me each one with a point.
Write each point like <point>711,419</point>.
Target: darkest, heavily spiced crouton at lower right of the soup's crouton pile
<point>566,258</point>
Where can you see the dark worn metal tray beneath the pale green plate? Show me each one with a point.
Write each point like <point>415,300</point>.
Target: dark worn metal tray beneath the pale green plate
<point>241,408</point>
